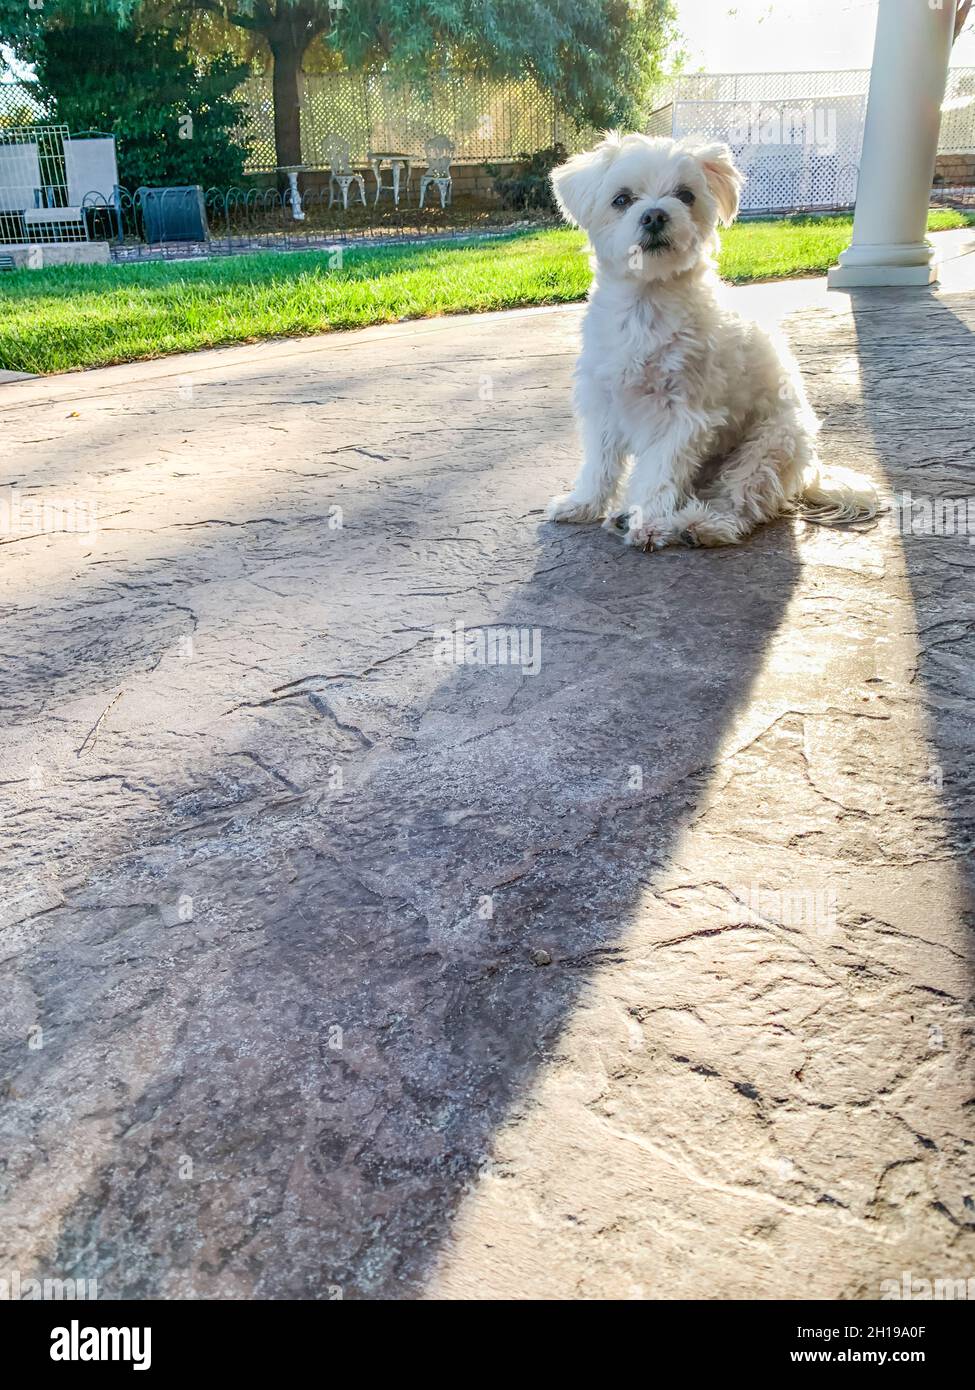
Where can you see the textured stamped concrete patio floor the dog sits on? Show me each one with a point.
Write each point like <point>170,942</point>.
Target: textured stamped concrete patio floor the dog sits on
<point>276,882</point>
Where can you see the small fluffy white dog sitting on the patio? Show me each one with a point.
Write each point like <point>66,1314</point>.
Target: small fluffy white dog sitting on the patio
<point>711,411</point>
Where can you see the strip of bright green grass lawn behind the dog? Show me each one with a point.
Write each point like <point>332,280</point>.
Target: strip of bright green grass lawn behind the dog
<point>59,319</point>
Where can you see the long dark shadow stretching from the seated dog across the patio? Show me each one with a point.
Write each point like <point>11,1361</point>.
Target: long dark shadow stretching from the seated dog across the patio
<point>265,1153</point>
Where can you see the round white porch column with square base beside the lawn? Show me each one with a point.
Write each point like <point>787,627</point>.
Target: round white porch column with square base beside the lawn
<point>901,141</point>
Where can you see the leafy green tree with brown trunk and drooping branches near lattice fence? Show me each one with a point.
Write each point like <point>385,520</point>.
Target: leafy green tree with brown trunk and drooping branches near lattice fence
<point>599,56</point>
